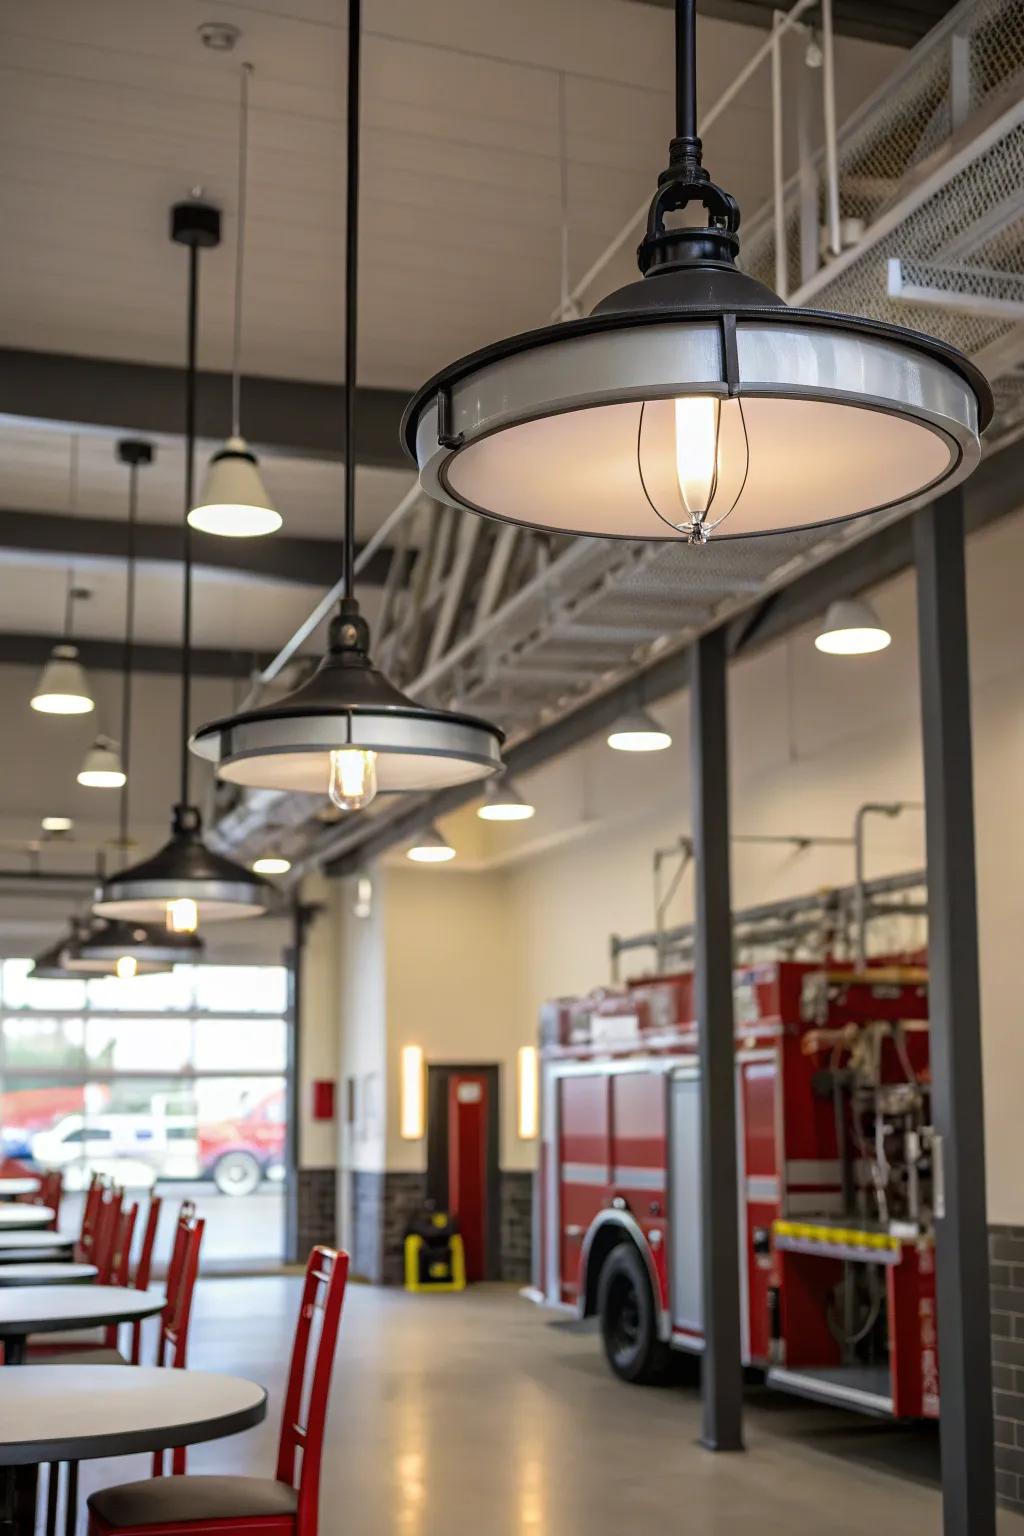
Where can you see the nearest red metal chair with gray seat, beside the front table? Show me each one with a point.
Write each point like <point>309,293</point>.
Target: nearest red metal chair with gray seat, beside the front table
<point>282,1506</point>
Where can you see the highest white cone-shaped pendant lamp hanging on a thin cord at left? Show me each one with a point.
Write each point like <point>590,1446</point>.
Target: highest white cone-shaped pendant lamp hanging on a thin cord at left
<point>236,503</point>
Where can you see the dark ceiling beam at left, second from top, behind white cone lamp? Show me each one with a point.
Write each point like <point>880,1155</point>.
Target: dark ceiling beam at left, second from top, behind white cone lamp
<point>309,563</point>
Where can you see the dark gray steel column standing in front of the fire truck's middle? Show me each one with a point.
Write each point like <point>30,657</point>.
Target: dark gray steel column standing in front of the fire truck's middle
<point>722,1371</point>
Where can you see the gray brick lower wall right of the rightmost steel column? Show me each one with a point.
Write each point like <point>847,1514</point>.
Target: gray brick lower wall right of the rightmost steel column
<point>1006,1254</point>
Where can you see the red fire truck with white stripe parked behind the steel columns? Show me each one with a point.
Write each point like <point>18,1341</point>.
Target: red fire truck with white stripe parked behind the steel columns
<point>834,1179</point>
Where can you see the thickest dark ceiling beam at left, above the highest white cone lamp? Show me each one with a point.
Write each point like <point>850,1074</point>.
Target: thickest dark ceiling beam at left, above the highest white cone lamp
<point>142,399</point>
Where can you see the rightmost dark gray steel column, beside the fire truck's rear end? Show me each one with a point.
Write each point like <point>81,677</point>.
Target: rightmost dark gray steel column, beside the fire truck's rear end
<point>965,1331</point>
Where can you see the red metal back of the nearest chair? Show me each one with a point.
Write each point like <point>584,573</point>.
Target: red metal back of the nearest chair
<point>309,1382</point>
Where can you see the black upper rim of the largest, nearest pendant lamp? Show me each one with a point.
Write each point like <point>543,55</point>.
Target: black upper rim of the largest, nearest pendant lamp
<point>626,320</point>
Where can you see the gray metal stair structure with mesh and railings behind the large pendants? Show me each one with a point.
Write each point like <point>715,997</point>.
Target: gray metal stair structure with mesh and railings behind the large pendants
<point>524,627</point>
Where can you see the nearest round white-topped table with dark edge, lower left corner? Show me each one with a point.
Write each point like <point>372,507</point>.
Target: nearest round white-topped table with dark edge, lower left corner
<point>53,1414</point>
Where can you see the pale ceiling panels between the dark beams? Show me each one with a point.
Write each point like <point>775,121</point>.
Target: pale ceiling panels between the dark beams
<point>113,110</point>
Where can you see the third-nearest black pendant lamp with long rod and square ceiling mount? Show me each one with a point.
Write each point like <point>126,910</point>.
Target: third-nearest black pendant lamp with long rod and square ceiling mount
<point>187,882</point>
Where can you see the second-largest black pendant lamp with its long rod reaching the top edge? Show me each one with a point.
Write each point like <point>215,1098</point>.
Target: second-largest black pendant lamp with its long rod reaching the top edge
<point>349,732</point>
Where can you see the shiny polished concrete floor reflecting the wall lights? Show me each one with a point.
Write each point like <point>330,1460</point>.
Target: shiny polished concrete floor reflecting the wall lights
<point>481,1415</point>
